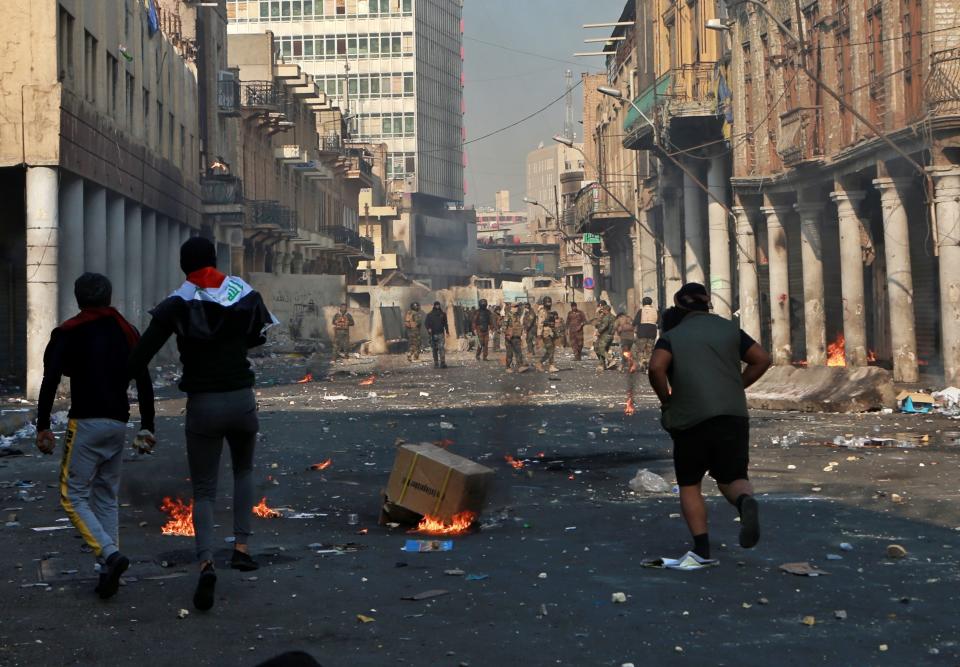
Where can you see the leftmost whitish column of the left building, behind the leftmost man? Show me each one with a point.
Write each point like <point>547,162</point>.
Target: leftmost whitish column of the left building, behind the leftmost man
<point>43,209</point>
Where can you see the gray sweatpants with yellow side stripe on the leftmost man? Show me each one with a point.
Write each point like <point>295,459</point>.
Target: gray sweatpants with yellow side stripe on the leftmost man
<point>90,480</point>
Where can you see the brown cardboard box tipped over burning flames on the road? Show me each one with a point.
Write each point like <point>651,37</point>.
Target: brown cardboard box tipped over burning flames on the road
<point>431,481</point>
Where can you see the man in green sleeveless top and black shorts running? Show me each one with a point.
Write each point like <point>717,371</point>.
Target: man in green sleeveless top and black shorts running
<point>696,373</point>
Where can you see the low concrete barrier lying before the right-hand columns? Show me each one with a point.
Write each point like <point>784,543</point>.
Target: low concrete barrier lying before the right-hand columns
<point>823,389</point>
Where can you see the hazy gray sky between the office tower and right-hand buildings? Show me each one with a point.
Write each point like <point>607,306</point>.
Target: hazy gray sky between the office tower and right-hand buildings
<point>503,86</point>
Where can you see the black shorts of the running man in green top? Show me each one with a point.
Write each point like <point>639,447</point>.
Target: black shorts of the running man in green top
<point>719,445</point>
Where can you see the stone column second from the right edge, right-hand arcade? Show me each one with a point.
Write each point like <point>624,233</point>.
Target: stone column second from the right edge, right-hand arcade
<point>896,243</point>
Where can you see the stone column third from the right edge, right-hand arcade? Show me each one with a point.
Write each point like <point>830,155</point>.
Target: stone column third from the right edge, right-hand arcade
<point>851,276</point>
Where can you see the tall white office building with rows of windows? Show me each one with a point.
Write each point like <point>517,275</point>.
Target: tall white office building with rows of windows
<point>394,66</point>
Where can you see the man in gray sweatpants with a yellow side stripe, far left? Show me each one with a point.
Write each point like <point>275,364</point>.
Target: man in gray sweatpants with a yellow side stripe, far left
<point>92,349</point>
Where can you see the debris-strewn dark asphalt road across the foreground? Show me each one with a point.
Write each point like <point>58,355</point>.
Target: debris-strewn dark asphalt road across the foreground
<point>558,540</point>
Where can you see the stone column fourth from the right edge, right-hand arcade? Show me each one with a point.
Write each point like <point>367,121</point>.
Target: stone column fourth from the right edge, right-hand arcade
<point>811,249</point>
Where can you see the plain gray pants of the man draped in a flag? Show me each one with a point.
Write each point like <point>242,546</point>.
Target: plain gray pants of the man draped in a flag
<point>211,418</point>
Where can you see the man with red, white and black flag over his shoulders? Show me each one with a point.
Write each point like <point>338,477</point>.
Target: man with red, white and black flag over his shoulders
<point>216,319</point>
